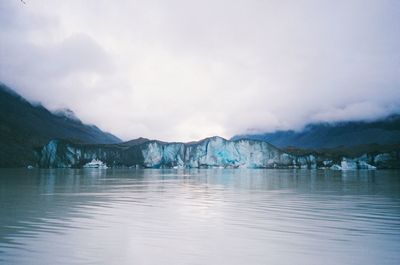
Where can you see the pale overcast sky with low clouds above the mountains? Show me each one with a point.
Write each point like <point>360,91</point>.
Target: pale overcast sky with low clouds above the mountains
<point>181,70</point>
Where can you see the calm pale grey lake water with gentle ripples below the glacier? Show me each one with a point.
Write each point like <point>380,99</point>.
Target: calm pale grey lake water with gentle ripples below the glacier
<point>94,216</point>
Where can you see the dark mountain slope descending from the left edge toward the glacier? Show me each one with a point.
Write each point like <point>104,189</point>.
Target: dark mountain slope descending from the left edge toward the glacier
<point>24,125</point>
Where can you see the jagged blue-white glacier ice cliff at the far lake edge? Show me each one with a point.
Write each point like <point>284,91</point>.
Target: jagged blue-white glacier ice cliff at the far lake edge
<point>208,153</point>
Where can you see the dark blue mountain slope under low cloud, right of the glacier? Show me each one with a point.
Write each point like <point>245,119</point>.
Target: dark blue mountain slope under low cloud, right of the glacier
<point>331,135</point>
